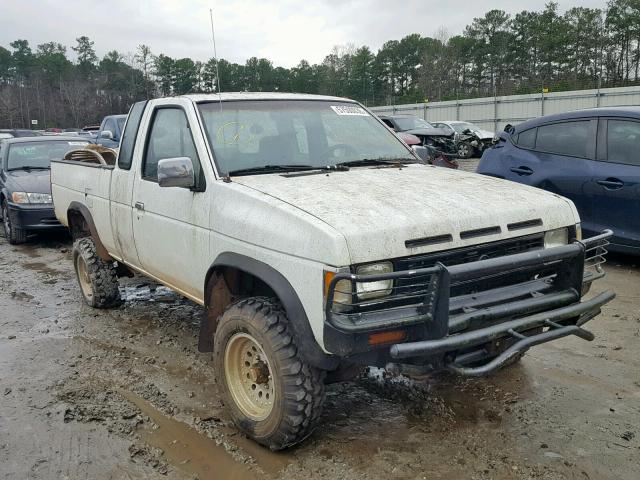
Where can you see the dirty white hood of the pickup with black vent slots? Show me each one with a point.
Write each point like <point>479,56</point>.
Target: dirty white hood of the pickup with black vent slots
<point>377,210</point>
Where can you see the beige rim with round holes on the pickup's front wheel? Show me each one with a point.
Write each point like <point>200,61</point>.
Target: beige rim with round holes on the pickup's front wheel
<point>249,376</point>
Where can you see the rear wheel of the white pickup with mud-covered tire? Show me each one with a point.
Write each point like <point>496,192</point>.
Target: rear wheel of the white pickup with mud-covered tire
<point>97,279</point>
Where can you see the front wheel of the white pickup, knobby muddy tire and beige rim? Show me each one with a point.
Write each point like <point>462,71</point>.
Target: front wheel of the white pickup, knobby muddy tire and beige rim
<point>297,390</point>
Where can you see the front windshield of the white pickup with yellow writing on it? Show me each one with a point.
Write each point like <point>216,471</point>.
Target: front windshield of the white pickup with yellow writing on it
<point>260,135</point>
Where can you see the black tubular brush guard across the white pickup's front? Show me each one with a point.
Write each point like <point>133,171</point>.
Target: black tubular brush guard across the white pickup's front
<point>456,311</point>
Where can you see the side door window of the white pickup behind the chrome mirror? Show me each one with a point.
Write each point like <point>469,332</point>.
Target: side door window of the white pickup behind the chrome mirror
<point>170,137</point>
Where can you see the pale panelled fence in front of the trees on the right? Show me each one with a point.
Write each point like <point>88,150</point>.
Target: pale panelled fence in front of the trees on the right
<point>493,113</point>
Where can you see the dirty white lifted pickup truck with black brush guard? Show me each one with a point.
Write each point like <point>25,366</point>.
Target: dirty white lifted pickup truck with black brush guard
<point>316,240</point>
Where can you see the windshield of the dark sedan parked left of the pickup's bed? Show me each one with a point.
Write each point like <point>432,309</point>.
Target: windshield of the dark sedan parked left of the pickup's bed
<point>38,154</point>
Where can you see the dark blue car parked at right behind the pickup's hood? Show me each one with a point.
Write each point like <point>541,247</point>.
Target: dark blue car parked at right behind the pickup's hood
<point>590,156</point>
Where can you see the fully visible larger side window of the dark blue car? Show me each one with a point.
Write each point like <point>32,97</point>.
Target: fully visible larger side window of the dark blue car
<point>565,138</point>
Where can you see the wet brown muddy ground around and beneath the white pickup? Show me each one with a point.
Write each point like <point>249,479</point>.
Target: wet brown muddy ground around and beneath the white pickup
<point>124,394</point>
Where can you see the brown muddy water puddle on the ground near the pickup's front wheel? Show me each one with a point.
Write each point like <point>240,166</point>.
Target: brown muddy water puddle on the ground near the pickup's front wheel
<point>185,448</point>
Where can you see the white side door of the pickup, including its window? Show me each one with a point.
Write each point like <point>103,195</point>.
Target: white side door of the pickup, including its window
<point>171,225</point>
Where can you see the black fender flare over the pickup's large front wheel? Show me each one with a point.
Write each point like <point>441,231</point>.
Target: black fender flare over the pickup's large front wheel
<point>308,347</point>
